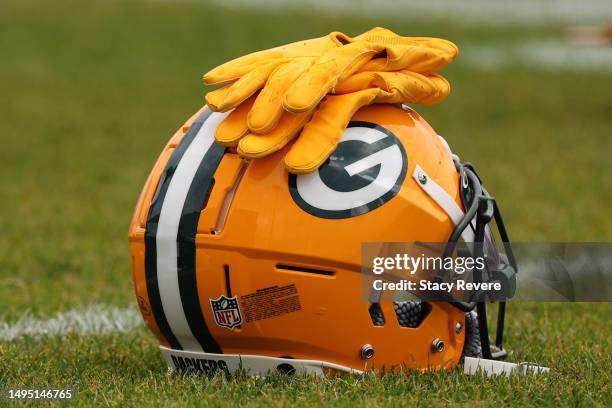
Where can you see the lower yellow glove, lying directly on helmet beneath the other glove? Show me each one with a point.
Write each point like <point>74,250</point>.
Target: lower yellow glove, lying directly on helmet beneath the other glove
<point>323,129</point>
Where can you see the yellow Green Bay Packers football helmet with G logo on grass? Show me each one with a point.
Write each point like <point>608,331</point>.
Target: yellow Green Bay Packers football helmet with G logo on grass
<point>240,265</point>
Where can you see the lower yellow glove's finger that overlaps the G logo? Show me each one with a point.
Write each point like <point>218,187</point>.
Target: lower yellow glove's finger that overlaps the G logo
<point>320,136</point>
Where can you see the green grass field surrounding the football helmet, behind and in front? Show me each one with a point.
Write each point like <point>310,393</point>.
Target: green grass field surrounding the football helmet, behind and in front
<point>91,92</point>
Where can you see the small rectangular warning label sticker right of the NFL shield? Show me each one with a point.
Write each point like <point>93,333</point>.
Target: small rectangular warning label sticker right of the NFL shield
<point>270,302</point>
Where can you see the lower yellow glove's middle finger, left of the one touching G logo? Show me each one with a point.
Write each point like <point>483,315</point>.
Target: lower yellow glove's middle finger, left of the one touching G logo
<point>254,146</point>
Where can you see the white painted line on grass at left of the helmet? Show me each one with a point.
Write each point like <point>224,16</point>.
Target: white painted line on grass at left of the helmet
<point>94,319</point>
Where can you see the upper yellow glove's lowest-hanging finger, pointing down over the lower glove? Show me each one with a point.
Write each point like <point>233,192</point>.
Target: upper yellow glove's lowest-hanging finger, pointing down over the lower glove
<point>268,107</point>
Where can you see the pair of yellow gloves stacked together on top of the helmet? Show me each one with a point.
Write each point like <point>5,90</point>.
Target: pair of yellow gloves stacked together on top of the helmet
<point>296,77</point>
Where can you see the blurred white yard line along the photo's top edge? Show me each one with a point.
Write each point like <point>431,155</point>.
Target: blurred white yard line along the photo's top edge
<point>472,11</point>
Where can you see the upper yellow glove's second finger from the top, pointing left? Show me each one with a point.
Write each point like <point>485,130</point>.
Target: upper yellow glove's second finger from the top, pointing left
<point>228,97</point>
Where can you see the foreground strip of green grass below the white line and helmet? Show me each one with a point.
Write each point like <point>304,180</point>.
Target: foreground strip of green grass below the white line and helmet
<point>127,369</point>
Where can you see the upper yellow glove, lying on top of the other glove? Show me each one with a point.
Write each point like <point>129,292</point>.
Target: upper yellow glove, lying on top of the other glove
<point>297,76</point>
